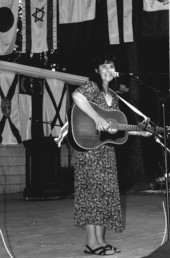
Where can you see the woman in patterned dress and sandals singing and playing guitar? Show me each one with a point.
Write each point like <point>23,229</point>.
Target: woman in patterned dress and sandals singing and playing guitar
<point>97,199</point>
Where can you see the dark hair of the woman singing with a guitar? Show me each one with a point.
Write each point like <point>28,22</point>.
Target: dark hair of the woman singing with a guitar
<point>101,58</point>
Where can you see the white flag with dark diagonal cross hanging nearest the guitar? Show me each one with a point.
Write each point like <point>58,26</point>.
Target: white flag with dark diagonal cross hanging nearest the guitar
<point>54,107</point>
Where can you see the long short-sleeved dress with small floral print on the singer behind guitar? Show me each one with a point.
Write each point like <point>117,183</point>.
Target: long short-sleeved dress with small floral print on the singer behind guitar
<point>97,198</point>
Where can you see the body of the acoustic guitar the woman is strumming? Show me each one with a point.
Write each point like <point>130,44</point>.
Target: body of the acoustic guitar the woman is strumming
<point>83,134</point>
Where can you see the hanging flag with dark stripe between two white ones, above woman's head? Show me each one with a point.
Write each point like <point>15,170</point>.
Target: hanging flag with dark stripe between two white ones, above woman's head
<point>123,17</point>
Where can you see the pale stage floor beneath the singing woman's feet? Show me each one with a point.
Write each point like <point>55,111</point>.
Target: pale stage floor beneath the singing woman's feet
<point>36,228</point>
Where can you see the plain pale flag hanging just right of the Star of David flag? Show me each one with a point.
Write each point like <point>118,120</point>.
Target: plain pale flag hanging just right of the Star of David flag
<point>71,11</point>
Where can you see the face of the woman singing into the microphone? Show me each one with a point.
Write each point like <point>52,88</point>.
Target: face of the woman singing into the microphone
<point>107,71</point>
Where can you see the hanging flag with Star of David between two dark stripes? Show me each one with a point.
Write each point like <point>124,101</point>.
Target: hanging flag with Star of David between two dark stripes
<point>39,25</point>
